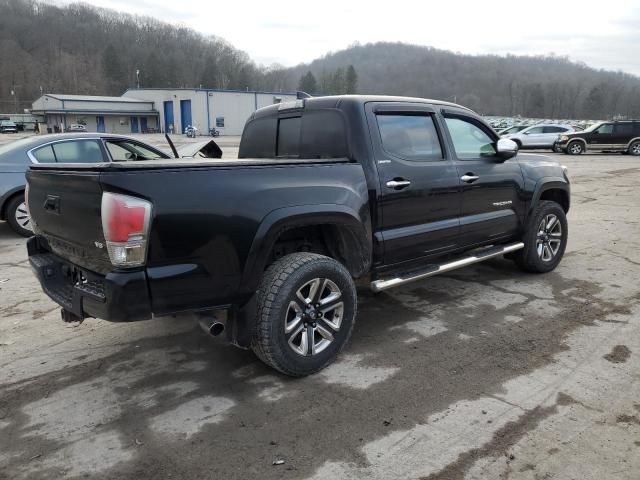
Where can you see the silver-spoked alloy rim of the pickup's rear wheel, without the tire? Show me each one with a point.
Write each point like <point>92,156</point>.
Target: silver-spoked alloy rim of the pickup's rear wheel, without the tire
<point>314,316</point>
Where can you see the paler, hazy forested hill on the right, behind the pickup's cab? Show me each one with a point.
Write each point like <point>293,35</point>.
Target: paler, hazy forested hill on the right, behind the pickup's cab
<point>550,87</point>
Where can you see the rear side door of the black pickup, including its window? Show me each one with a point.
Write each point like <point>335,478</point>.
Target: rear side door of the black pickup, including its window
<point>419,201</point>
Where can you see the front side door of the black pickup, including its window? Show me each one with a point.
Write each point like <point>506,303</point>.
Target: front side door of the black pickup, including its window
<point>493,204</point>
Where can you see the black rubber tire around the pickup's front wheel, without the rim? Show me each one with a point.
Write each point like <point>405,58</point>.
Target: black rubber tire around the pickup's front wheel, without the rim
<point>528,259</point>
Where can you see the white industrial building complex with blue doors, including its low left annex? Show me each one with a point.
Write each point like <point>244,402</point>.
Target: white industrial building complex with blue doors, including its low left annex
<point>155,109</point>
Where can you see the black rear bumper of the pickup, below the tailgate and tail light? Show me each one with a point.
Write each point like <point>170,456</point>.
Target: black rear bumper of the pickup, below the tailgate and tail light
<point>116,296</point>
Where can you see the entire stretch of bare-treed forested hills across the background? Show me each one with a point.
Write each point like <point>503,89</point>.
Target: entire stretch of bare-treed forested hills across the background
<point>83,50</point>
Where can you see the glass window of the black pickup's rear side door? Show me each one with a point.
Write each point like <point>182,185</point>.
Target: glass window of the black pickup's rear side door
<point>410,137</point>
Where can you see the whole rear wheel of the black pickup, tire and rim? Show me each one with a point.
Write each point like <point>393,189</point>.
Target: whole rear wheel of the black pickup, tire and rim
<point>306,312</point>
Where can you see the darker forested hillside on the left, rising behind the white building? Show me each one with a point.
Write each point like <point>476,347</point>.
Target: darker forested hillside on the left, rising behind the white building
<point>83,50</point>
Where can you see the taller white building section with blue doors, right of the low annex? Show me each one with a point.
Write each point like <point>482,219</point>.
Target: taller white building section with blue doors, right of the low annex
<point>225,110</point>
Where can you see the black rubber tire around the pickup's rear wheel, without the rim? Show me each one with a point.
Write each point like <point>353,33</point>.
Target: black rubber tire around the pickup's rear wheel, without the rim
<point>278,288</point>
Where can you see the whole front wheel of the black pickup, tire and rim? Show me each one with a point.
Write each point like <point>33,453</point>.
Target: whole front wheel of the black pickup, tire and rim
<point>545,239</point>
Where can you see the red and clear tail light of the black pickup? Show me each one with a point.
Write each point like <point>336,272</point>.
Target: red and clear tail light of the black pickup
<point>125,223</point>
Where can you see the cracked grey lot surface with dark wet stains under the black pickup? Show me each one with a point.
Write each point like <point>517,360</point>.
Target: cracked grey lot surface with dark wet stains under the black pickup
<point>483,373</point>
